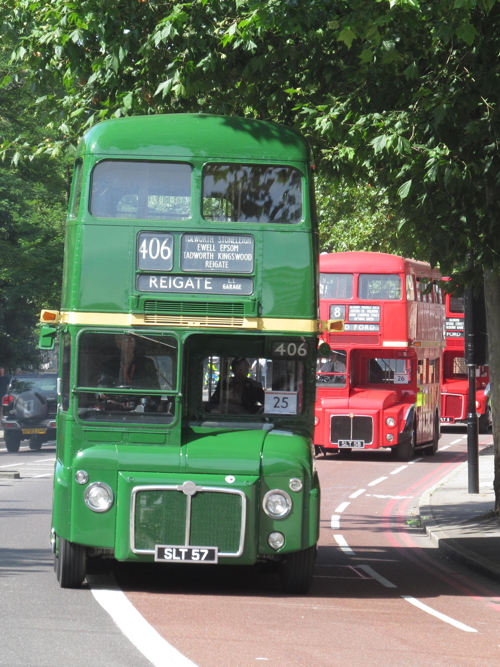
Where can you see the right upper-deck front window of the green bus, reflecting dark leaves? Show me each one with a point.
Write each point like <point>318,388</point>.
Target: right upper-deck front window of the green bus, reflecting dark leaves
<point>252,193</point>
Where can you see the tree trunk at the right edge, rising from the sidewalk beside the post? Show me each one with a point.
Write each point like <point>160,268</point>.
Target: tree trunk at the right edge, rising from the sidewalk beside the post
<point>492,299</point>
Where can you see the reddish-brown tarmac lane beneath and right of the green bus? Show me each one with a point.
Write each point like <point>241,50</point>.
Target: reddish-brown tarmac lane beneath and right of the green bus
<point>382,593</point>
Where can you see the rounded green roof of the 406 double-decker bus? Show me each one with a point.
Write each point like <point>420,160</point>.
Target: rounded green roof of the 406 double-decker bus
<point>195,135</point>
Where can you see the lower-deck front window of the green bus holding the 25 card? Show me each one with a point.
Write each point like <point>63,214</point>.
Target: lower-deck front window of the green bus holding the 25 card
<point>252,386</point>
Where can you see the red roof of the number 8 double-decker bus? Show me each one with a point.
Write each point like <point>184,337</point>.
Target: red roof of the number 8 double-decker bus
<point>374,262</point>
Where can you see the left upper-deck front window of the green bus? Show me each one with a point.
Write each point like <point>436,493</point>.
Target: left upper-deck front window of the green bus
<point>141,190</point>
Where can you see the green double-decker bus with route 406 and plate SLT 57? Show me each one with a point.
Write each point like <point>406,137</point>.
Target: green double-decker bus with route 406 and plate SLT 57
<point>187,338</point>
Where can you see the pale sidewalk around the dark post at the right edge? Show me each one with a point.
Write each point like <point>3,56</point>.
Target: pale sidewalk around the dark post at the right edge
<point>461,523</point>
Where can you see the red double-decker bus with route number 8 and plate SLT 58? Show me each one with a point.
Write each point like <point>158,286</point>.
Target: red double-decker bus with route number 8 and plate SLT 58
<point>380,387</point>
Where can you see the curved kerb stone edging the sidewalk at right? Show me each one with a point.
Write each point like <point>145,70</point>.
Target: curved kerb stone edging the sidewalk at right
<point>449,546</point>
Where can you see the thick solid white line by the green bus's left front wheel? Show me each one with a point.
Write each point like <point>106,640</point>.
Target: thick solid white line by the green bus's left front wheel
<point>133,625</point>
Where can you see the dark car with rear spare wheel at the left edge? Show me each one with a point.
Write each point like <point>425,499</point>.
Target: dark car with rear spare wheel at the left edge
<point>29,410</point>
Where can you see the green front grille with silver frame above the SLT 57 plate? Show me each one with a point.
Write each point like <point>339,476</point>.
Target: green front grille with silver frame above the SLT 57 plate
<point>168,515</point>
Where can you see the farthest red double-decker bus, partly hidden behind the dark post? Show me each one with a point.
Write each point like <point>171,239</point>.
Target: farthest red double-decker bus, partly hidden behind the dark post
<point>455,382</point>
